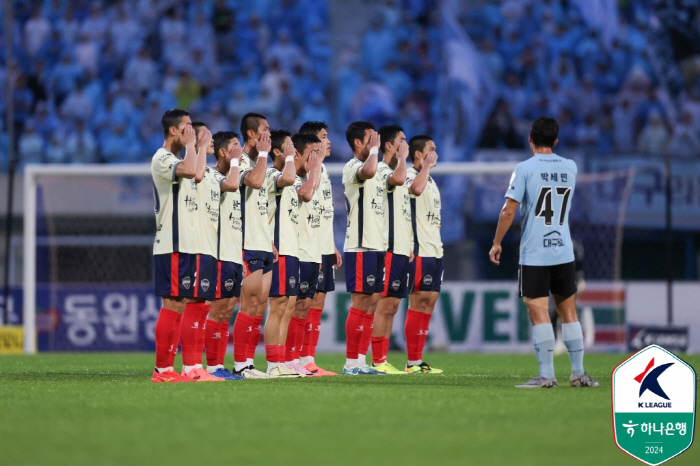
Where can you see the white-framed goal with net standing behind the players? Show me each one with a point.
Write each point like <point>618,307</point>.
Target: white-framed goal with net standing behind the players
<point>88,273</point>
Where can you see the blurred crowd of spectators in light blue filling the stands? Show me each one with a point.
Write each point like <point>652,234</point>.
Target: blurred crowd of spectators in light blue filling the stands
<point>92,78</point>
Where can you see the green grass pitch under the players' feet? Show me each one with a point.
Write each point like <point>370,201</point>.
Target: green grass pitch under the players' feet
<point>102,409</point>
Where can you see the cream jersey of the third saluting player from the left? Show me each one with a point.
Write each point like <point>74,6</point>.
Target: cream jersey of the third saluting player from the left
<point>230,225</point>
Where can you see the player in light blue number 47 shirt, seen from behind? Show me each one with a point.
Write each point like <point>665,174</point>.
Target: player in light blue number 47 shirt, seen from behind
<point>543,187</point>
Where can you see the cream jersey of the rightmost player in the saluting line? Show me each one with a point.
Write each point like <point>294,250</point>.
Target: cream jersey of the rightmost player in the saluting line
<point>425,213</point>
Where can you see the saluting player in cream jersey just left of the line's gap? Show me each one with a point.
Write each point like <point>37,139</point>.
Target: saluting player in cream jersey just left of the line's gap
<point>331,259</point>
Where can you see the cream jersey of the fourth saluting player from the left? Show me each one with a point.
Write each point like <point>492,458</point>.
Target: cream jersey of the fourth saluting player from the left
<point>256,227</point>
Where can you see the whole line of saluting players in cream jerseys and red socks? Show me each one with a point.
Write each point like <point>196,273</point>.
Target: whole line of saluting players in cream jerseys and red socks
<point>241,232</point>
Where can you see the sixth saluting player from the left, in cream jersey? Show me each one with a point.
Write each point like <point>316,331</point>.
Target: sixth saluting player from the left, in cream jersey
<point>308,147</point>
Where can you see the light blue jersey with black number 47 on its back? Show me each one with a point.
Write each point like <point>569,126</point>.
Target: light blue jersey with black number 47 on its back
<point>544,186</point>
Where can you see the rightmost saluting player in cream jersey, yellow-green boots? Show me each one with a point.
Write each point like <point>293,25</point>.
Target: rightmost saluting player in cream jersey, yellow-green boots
<point>426,268</point>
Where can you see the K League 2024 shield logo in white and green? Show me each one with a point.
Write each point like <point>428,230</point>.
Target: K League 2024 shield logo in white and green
<point>653,405</point>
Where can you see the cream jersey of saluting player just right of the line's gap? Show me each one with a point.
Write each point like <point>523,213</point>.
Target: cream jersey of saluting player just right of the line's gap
<point>365,206</point>
